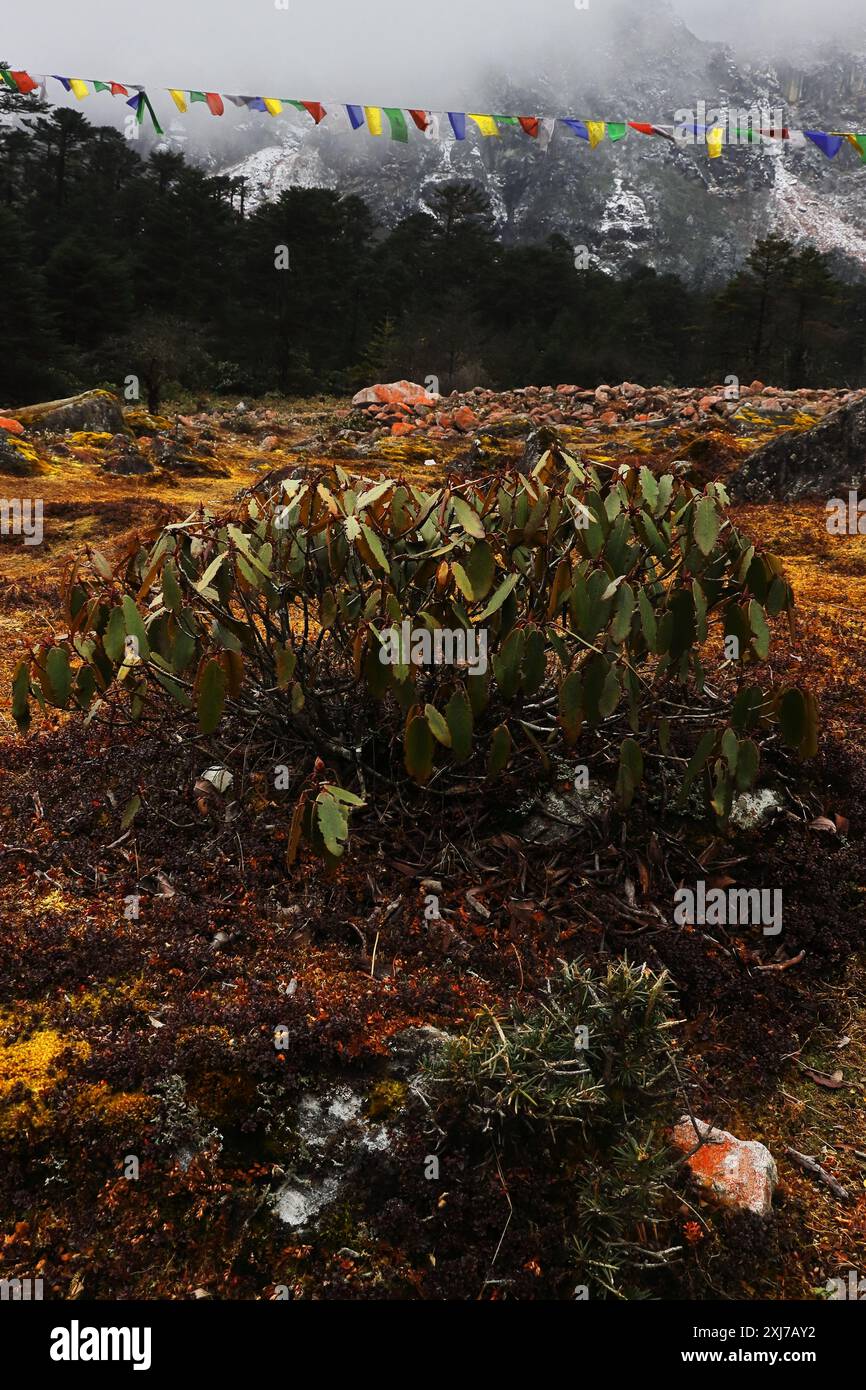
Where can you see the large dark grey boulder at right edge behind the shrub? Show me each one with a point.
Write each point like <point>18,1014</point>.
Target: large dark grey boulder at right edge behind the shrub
<point>824,462</point>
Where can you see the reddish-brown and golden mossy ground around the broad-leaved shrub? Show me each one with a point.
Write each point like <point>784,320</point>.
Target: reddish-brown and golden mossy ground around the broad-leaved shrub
<point>97,1011</point>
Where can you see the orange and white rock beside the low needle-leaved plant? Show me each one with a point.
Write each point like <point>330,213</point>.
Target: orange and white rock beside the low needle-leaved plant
<point>735,1171</point>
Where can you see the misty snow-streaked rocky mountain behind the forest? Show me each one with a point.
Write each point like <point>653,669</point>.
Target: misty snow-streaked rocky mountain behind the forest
<point>643,199</point>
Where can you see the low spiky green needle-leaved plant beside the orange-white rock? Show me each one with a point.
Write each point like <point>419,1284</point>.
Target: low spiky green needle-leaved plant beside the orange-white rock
<point>585,1110</point>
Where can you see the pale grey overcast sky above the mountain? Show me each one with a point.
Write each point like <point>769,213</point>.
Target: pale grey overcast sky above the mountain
<point>387,52</point>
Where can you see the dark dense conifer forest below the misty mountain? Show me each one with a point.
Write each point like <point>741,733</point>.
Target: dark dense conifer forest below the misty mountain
<point>112,265</point>
